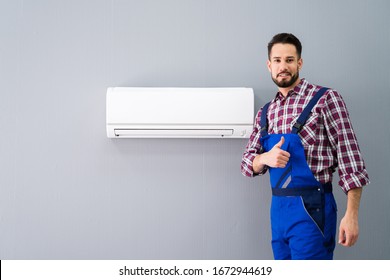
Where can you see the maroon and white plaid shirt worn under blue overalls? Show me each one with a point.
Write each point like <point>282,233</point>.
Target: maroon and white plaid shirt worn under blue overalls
<point>327,137</point>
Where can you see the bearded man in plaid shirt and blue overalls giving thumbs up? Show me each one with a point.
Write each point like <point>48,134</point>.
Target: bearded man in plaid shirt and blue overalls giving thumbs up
<point>302,148</point>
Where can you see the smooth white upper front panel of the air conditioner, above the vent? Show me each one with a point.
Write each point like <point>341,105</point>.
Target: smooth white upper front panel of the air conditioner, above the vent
<point>179,105</point>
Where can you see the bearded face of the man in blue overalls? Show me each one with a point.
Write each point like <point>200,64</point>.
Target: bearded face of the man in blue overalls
<point>284,65</point>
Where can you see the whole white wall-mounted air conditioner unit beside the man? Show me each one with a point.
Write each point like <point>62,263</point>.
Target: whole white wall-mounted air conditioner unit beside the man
<point>179,112</point>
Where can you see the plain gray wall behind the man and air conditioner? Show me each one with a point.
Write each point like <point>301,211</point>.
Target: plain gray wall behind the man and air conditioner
<point>68,192</point>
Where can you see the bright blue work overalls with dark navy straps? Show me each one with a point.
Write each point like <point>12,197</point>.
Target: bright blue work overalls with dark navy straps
<point>303,211</point>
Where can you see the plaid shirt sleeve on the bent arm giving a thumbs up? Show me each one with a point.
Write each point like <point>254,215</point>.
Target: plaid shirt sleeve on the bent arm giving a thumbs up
<point>253,148</point>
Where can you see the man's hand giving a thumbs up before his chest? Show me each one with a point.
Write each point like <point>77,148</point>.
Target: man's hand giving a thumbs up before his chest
<point>276,157</point>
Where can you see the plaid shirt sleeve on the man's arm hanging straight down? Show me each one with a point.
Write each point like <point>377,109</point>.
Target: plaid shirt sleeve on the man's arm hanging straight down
<point>351,166</point>
